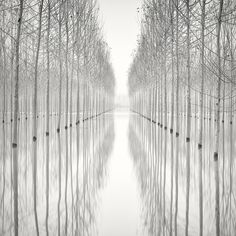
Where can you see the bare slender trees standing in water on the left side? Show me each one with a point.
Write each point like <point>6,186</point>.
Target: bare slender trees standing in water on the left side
<point>54,61</point>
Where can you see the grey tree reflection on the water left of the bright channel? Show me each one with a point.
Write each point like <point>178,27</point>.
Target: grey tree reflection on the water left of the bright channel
<point>71,169</point>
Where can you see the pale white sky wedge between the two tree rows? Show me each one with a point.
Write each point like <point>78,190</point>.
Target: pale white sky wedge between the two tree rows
<point>120,27</point>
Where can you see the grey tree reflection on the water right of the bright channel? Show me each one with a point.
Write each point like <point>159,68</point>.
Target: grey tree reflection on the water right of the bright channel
<point>153,151</point>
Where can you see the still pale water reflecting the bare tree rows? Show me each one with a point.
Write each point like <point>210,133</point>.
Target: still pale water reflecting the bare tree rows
<point>114,176</point>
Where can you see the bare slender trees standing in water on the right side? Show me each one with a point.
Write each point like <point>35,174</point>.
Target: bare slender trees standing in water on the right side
<point>185,65</point>
